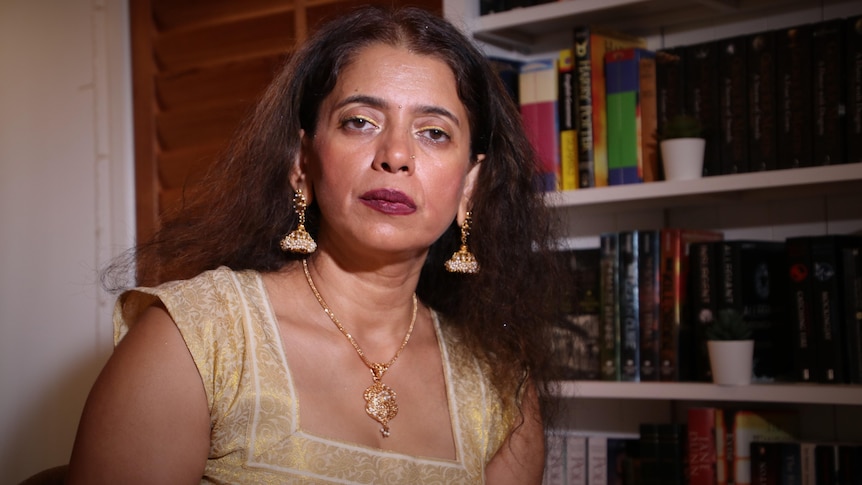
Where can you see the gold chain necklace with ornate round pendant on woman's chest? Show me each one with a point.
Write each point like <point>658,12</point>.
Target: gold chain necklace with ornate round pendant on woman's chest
<point>380,401</point>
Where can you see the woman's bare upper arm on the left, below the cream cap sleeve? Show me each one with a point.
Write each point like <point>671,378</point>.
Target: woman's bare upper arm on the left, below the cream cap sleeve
<point>146,419</point>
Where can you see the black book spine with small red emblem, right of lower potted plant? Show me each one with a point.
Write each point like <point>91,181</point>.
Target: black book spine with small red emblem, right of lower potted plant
<point>799,271</point>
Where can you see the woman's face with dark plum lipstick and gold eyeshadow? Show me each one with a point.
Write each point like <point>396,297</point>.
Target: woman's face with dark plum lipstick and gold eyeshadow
<point>389,163</point>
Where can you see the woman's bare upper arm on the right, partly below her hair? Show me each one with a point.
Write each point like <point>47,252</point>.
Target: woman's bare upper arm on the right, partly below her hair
<point>521,459</point>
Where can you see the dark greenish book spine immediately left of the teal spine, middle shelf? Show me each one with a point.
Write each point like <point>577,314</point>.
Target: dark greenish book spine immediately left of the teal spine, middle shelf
<point>610,322</point>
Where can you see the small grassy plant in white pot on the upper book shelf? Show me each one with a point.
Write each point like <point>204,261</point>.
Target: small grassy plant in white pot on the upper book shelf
<point>682,147</point>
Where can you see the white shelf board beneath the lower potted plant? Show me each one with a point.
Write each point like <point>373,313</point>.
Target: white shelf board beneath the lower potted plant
<point>684,391</point>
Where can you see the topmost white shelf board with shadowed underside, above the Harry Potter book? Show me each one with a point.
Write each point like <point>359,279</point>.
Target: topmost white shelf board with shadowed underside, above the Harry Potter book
<point>523,28</point>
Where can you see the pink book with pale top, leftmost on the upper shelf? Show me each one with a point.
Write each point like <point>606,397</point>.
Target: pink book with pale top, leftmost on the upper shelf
<point>538,98</point>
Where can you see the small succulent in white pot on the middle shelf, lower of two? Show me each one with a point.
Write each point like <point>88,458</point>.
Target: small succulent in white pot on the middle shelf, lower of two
<point>731,349</point>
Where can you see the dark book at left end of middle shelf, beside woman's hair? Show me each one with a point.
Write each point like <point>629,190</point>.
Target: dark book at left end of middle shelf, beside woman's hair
<point>575,334</point>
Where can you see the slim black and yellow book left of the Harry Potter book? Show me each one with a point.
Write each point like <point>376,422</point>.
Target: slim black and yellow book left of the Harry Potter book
<point>568,143</point>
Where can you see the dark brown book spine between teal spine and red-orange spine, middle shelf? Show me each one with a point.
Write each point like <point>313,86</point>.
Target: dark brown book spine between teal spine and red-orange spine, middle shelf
<point>649,296</point>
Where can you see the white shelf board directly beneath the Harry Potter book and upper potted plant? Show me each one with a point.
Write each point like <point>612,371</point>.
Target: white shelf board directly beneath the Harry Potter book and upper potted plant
<point>833,179</point>
